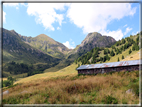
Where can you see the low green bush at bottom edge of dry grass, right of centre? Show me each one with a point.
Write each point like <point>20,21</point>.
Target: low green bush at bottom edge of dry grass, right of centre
<point>110,100</point>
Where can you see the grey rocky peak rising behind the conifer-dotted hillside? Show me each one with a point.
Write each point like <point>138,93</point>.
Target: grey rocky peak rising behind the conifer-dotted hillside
<point>91,41</point>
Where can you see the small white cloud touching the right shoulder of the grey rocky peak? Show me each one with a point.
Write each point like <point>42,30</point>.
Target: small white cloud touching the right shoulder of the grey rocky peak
<point>117,35</point>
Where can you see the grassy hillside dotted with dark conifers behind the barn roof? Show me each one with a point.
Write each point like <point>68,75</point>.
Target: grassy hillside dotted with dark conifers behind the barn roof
<point>120,50</point>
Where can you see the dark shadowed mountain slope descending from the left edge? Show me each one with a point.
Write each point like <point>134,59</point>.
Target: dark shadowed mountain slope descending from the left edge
<point>14,49</point>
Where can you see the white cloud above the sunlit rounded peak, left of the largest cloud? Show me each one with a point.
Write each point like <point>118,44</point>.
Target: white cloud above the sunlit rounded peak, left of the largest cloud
<point>45,13</point>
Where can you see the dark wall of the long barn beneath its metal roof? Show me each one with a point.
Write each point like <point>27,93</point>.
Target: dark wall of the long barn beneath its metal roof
<point>110,69</point>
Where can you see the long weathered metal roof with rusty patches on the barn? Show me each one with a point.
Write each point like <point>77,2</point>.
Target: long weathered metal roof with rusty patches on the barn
<point>112,64</point>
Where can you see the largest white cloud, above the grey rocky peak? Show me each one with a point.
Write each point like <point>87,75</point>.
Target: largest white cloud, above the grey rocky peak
<point>96,16</point>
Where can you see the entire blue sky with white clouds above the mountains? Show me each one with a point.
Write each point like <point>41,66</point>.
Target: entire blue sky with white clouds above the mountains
<point>69,23</point>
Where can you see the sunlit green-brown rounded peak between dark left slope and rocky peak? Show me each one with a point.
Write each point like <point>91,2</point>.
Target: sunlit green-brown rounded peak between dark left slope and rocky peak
<point>47,45</point>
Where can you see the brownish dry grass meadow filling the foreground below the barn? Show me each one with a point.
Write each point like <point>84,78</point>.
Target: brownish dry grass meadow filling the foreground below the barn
<point>75,89</point>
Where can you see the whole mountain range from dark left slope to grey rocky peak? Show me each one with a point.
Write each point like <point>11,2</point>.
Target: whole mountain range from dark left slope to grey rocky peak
<point>43,49</point>
